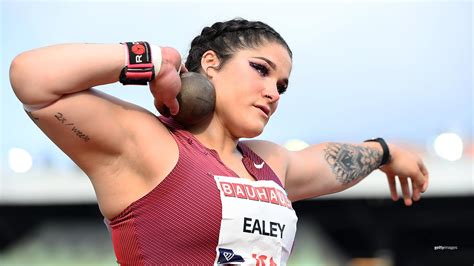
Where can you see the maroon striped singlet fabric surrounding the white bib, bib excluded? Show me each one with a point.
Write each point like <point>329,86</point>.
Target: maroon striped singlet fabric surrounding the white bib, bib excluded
<point>178,222</point>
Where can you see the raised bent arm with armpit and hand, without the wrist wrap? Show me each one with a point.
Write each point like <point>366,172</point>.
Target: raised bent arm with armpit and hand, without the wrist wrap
<point>116,143</point>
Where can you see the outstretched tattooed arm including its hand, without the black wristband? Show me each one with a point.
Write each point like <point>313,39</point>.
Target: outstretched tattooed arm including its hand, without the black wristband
<point>332,167</point>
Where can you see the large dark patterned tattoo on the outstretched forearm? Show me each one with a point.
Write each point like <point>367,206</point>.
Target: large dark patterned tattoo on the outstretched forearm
<point>349,162</point>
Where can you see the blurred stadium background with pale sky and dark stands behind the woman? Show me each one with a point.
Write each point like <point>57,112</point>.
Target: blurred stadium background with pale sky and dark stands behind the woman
<point>397,69</point>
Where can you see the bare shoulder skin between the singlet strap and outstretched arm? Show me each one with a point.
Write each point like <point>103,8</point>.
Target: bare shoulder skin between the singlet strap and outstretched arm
<point>276,156</point>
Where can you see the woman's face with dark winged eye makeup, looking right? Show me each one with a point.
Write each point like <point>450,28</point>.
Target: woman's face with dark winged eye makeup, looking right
<point>249,86</point>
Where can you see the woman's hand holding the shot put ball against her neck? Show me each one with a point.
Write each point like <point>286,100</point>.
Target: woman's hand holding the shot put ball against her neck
<point>167,84</point>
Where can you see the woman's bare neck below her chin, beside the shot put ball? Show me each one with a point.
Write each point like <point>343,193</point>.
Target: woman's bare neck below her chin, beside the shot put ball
<point>214,135</point>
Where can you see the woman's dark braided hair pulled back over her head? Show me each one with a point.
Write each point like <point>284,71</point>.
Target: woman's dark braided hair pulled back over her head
<point>226,38</point>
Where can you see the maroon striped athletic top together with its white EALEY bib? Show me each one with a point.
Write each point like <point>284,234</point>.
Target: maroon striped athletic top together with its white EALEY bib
<point>202,213</point>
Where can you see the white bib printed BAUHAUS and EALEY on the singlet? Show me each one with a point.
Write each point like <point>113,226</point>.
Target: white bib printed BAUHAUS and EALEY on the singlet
<point>258,224</point>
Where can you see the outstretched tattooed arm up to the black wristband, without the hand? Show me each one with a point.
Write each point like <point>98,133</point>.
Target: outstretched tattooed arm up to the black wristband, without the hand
<point>328,168</point>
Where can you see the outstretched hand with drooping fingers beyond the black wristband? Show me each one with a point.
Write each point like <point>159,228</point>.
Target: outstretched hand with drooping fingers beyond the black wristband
<point>409,168</point>
